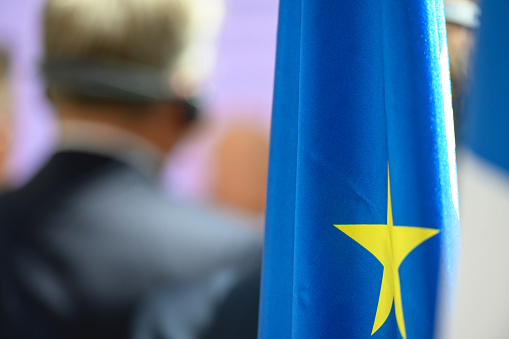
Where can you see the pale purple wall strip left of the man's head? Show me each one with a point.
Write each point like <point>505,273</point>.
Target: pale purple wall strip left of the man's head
<point>33,127</point>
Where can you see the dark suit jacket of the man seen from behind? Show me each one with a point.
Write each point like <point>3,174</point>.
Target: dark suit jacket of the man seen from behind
<point>86,241</point>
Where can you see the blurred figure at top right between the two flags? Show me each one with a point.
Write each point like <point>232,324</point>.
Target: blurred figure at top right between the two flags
<point>462,17</point>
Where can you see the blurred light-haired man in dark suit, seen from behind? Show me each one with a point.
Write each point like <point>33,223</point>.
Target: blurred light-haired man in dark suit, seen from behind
<point>91,237</point>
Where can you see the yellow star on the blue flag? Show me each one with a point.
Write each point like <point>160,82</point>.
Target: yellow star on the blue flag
<point>390,245</point>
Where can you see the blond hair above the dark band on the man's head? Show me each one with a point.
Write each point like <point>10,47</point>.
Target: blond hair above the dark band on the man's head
<point>148,32</point>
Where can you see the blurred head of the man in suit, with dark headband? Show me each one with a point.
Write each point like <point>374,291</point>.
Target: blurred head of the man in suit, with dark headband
<point>111,61</point>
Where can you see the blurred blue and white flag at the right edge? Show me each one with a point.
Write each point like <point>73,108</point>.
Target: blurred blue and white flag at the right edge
<point>482,302</point>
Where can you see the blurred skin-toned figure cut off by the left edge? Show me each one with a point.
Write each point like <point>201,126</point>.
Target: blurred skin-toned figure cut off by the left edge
<point>5,114</point>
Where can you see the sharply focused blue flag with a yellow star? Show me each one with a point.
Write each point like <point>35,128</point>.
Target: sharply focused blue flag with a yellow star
<point>362,216</point>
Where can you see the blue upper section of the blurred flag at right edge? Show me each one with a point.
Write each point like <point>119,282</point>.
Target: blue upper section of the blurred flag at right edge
<point>487,119</point>
